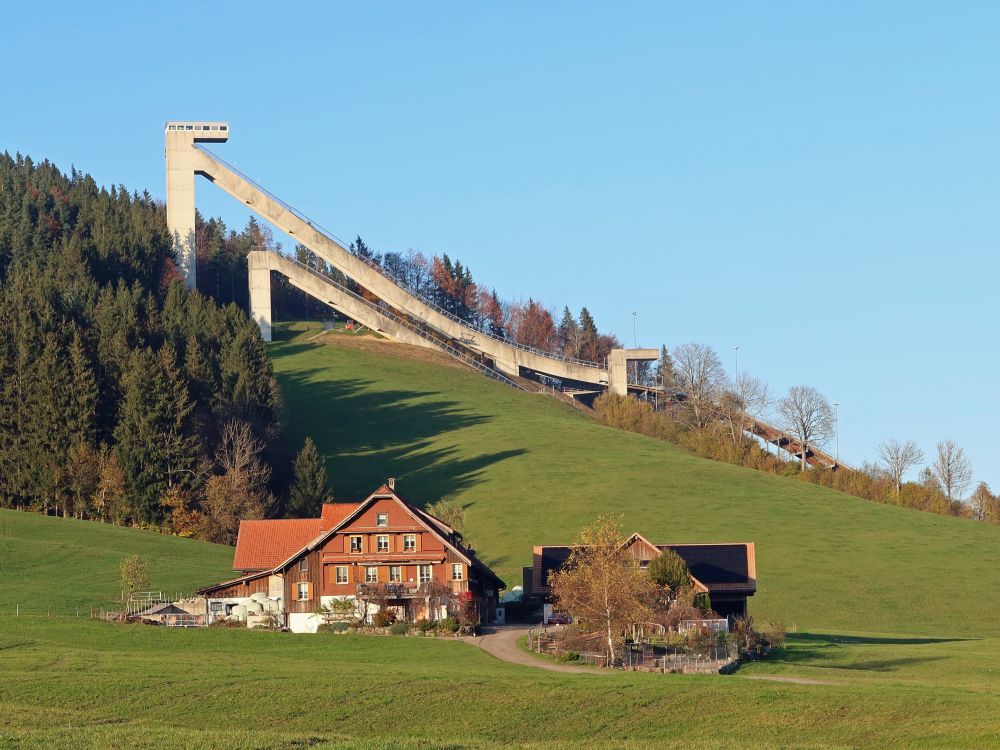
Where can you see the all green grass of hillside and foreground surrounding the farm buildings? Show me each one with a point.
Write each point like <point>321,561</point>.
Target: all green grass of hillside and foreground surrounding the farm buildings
<point>894,617</point>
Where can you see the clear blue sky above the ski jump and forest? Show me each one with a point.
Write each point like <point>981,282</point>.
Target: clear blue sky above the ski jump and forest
<point>817,183</point>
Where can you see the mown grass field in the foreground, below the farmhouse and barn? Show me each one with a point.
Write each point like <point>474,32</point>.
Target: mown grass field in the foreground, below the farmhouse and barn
<point>65,683</point>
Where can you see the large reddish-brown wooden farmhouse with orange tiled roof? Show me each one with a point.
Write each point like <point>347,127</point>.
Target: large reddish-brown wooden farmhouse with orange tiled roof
<point>380,552</point>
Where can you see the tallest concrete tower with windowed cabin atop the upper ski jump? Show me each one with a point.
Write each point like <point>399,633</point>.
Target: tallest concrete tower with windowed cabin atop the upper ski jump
<point>180,155</point>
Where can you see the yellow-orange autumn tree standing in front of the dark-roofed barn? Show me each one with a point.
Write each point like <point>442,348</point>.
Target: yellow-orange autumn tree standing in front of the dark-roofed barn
<point>601,586</point>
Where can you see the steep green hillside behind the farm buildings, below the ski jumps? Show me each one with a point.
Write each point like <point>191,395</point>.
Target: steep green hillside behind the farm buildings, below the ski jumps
<point>532,470</point>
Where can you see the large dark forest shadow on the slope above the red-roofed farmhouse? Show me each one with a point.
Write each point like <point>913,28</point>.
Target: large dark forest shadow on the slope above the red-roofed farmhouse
<point>367,435</point>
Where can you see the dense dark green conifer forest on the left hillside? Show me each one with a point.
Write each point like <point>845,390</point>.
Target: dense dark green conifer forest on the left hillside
<point>123,397</point>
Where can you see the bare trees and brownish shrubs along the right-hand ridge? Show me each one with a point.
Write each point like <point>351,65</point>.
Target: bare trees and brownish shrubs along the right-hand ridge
<point>711,413</point>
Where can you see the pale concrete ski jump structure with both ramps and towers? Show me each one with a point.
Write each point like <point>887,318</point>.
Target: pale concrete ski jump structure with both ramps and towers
<point>401,315</point>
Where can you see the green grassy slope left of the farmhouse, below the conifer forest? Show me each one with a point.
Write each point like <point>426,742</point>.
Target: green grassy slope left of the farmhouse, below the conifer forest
<point>57,564</point>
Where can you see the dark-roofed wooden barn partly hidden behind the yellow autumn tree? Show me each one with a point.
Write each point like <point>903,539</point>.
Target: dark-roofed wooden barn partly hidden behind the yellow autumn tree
<point>726,572</point>
